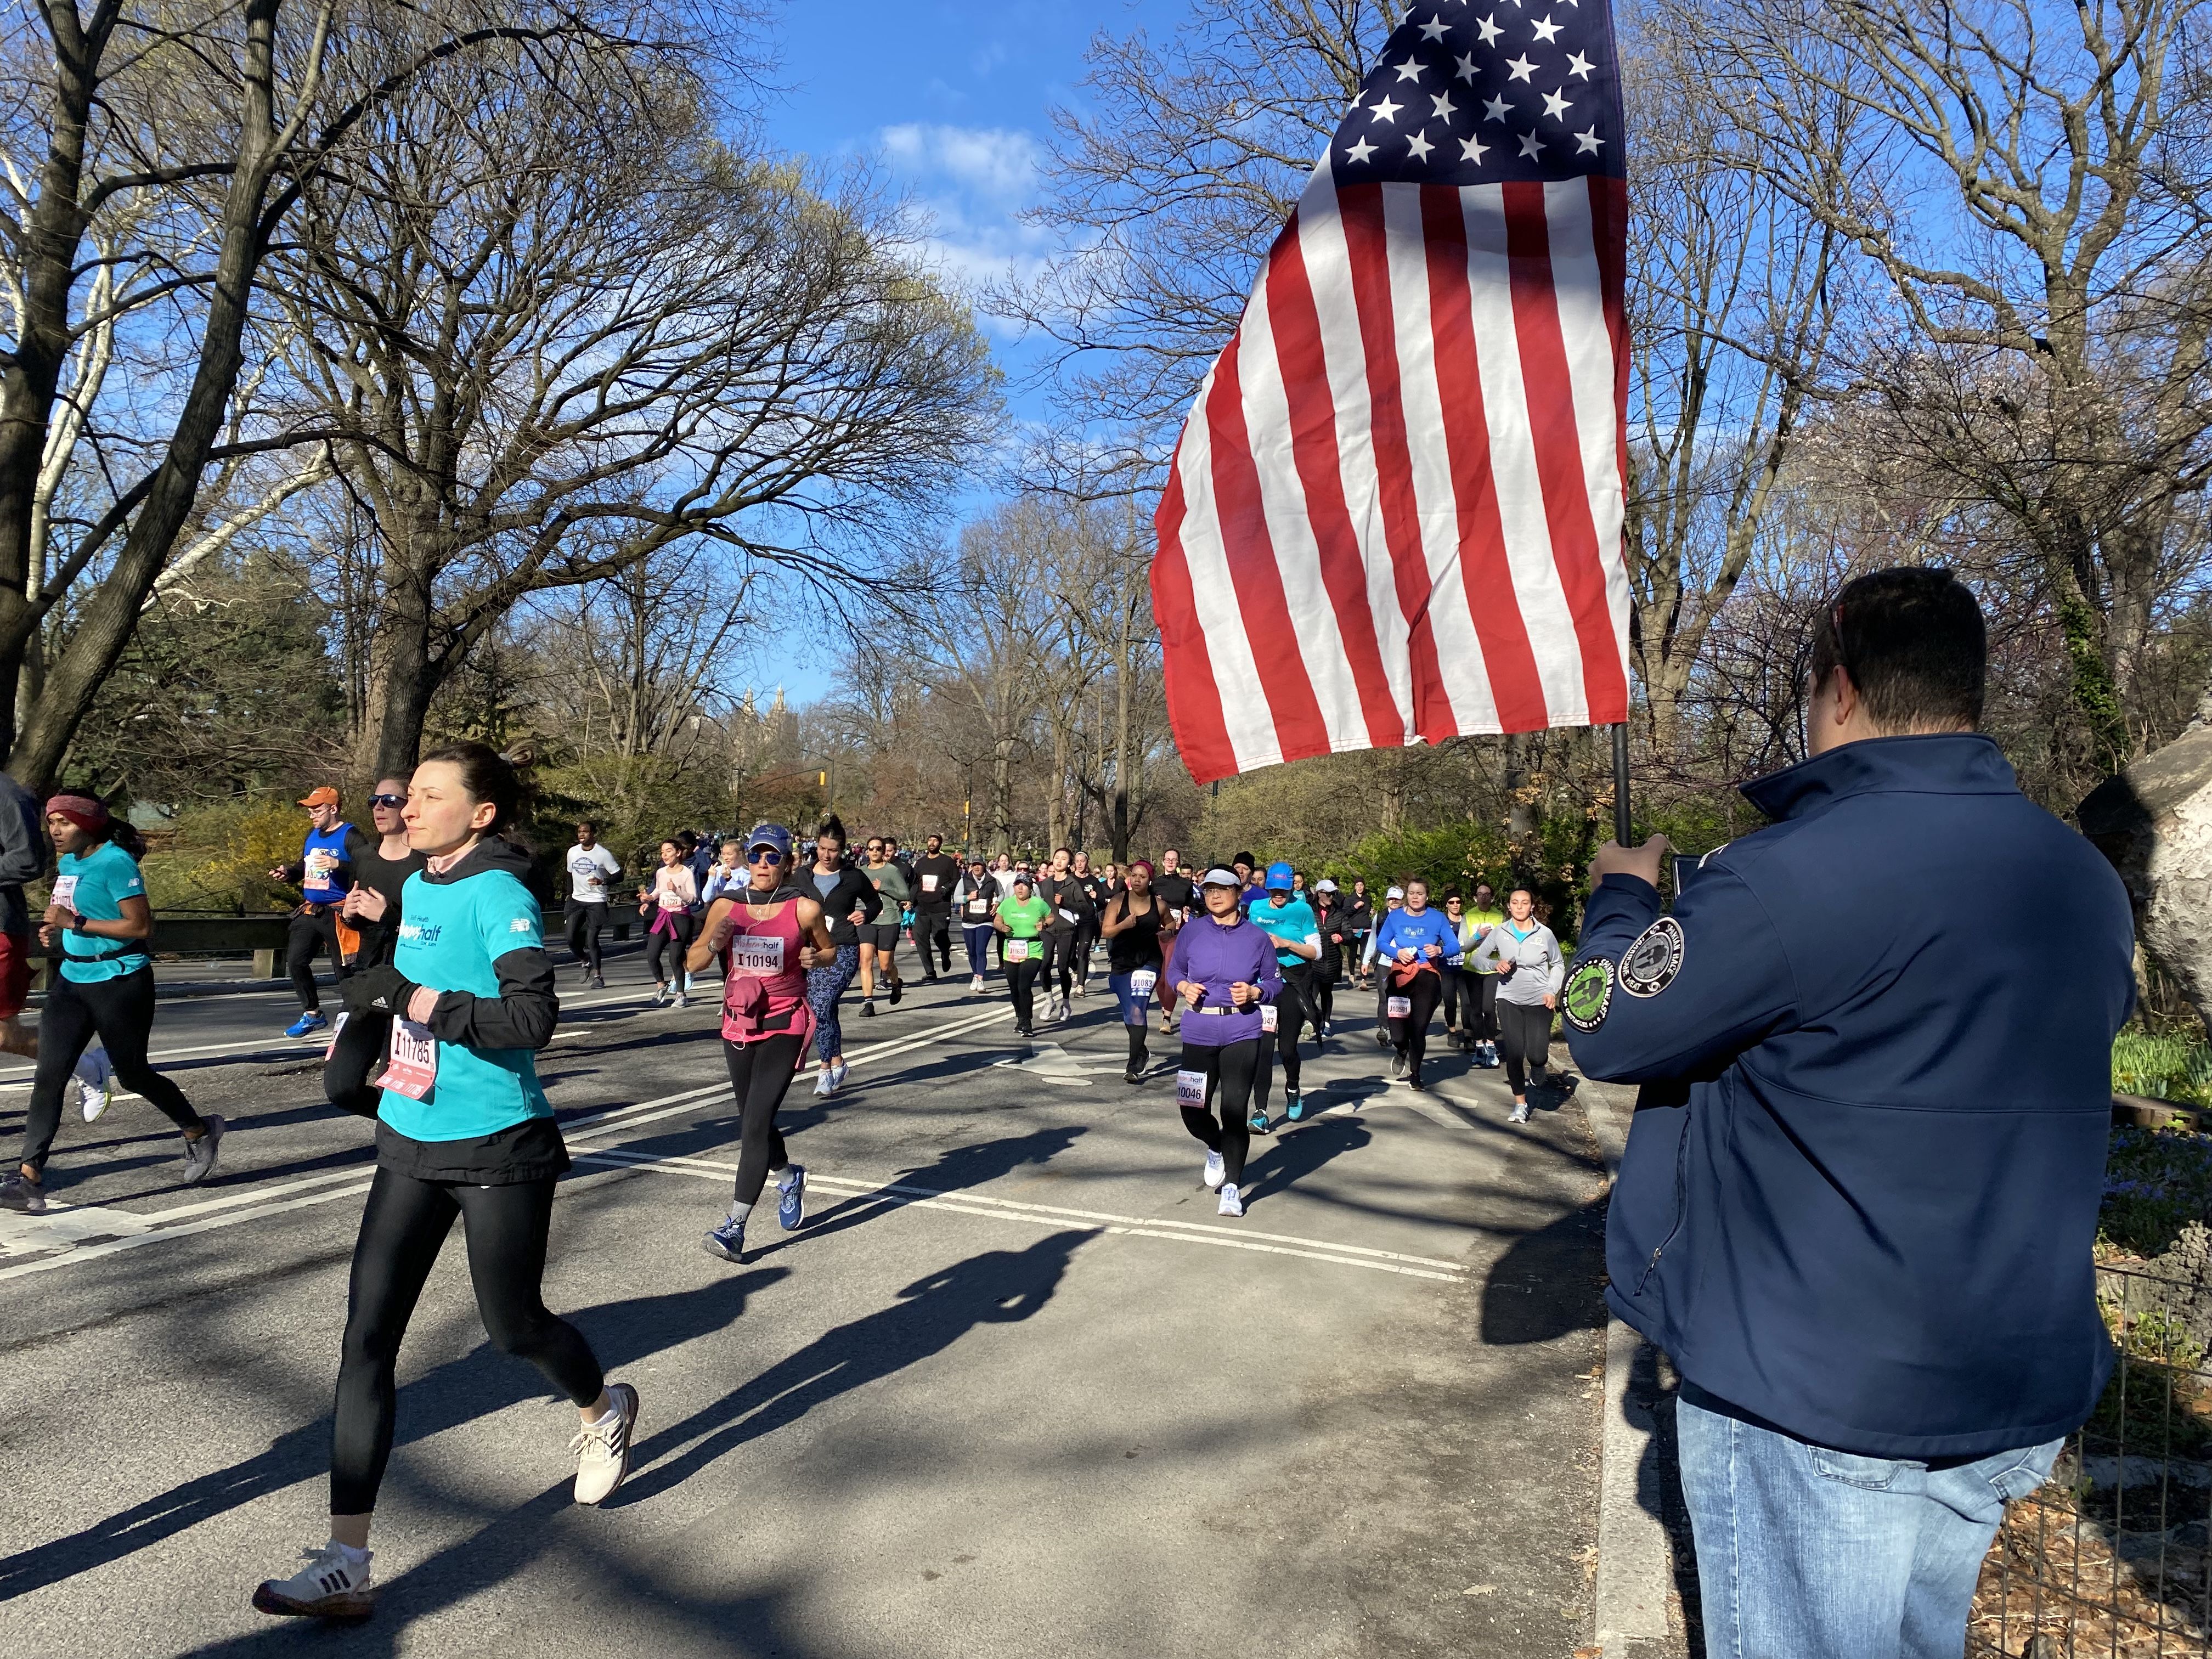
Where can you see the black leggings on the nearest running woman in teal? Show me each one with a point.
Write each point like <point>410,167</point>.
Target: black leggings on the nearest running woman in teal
<point>401,1231</point>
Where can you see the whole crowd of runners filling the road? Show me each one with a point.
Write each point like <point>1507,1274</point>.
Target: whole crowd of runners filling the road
<point>448,992</point>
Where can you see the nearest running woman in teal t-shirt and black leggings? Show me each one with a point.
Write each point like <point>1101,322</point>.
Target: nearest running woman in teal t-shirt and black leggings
<point>463,1131</point>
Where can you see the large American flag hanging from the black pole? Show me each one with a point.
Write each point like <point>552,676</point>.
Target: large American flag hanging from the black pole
<point>1397,505</point>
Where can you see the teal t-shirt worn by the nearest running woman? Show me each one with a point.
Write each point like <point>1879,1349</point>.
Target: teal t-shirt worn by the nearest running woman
<point>450,939</point>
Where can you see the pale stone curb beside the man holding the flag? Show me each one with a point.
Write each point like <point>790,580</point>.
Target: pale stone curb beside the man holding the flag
<point>1634,1558</point>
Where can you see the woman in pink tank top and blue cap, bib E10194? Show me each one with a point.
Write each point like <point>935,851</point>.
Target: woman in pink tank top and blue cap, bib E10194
<point>766,937</point>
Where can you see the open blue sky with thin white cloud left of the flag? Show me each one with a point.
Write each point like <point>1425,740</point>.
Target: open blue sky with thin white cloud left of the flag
<point>952,103</point>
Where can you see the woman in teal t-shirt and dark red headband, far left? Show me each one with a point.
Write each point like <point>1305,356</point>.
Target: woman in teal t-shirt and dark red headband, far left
<point>105,988</point>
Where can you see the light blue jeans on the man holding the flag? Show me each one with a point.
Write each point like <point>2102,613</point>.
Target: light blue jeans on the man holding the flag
<point>1813,1554</point>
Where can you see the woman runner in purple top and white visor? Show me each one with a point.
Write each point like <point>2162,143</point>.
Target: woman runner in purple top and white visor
<point>1224,974</point>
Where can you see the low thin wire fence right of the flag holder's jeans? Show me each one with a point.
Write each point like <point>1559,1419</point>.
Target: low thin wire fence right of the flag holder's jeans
<point>2114,1556</point>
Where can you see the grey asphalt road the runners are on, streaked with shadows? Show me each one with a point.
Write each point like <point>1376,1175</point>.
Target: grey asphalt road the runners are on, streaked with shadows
<point>1014,1388</point>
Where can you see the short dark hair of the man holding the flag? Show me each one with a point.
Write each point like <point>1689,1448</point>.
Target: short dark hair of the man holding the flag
<point>1914,645</point>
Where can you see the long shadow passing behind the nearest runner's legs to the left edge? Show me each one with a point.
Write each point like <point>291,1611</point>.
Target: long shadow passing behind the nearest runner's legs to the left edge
<point>448,1397</point>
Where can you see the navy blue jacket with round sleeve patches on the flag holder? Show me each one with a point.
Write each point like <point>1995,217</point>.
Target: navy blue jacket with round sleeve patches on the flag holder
<point>1861,1187</point>
